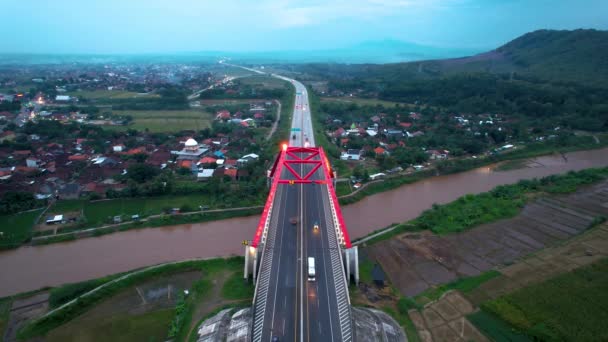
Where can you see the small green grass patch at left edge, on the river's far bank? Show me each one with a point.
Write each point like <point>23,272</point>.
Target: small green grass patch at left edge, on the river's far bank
<point>17,228</point>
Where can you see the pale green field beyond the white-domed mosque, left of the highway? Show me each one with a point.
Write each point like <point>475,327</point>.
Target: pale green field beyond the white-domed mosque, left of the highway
<point>166,120</point>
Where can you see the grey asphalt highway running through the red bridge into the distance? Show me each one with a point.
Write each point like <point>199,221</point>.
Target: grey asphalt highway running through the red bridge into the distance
<point>297,309</point>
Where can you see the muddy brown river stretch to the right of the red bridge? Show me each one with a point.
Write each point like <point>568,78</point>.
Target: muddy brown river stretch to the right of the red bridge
<point>409,201</point>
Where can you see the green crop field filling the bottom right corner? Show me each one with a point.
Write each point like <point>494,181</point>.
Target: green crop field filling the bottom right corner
<point>570,307</point>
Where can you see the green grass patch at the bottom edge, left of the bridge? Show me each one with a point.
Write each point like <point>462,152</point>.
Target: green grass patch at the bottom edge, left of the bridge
<point>150,326</point>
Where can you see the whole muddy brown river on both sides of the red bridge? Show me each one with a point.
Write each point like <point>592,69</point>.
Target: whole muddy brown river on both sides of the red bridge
<point>30,268</point>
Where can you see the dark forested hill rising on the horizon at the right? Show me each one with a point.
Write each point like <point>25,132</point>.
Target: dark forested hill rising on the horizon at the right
<point>575,56</point>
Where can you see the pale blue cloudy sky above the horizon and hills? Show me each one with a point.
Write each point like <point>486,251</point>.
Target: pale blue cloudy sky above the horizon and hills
<point>155,26</point>
